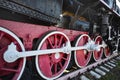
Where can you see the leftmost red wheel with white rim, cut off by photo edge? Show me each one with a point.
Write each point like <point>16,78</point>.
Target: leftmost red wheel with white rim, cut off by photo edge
<point>14,70</point>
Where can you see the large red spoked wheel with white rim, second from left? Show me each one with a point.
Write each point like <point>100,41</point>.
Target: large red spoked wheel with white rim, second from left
<point>53,65</point>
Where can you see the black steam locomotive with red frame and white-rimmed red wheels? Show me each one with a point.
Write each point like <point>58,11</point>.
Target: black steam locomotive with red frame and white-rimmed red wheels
<point>40,39</point>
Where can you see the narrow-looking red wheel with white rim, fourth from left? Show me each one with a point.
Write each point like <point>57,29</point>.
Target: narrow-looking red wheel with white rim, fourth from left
<point>97,55</point>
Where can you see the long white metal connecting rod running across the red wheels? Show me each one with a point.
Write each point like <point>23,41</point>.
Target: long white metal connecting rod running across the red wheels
<point>12,54</point>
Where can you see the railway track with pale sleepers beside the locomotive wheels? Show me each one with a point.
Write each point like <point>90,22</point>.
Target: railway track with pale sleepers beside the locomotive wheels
<point>95,70</point>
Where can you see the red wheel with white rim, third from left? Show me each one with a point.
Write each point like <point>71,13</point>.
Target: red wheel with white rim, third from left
<point>82,57</point>
